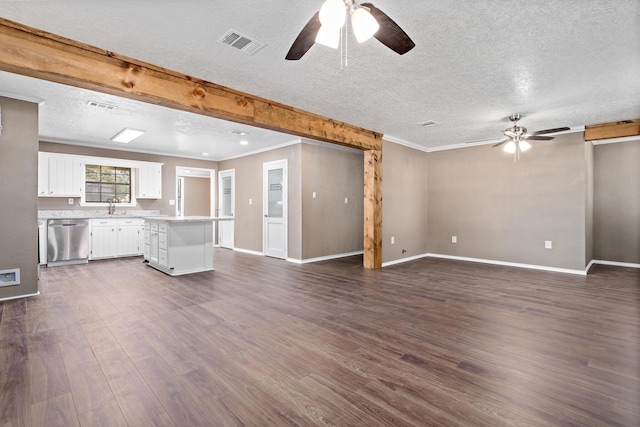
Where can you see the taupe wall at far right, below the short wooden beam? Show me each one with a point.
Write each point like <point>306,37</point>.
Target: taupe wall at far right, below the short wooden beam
<point>616,219</point>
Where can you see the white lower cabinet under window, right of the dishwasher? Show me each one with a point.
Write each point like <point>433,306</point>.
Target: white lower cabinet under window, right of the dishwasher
<point>115,237</point>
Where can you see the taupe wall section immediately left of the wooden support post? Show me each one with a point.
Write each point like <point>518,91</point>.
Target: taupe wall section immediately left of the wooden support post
<point>329,225</point>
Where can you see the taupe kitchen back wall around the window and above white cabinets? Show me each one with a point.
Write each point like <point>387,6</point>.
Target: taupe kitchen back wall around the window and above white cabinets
<point>168,175</point>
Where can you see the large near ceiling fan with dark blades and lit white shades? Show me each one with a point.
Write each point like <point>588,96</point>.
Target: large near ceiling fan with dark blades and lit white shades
<point>366,20</point>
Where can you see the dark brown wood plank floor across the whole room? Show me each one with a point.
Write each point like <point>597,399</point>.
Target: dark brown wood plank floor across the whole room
<point>263,342</point>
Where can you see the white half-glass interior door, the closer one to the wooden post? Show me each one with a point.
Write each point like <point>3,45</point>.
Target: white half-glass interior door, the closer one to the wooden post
<point>274,229</point>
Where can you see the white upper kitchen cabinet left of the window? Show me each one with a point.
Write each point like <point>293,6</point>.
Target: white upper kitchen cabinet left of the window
<point>60,175</point>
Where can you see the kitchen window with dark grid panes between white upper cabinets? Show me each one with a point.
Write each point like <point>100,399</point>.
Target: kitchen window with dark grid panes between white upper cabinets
<point>104,184</point>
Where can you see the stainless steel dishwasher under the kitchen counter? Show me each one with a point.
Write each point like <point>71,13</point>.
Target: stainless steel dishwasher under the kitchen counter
<point>67,241</point>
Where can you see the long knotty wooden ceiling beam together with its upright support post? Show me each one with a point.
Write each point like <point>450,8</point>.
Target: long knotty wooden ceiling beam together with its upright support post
<point>31,52</point>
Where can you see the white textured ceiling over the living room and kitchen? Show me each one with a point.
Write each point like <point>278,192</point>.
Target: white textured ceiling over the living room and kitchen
<point>559,63</point>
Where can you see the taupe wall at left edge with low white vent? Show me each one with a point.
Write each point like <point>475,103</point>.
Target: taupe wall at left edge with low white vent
<point>19,208</point>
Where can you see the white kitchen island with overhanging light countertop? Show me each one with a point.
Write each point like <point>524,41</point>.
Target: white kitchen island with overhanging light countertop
<point>179,245</point>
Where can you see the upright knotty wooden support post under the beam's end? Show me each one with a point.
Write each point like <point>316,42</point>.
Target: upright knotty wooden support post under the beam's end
<point>373,209</point>
